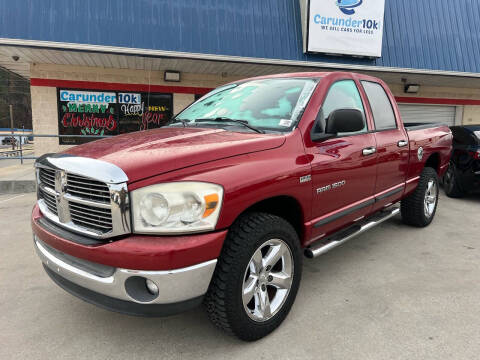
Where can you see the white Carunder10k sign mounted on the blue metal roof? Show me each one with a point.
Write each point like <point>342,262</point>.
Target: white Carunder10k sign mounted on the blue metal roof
<point>349,27</point>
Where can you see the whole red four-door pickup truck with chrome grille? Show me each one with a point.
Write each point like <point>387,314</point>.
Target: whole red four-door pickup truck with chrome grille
<point>220,205</point>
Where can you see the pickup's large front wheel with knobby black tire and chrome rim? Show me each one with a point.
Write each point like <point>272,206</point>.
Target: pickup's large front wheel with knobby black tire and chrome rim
<point>250,236</point>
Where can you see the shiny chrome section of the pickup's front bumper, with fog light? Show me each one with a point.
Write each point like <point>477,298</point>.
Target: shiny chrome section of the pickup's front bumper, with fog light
<point>173,285</point>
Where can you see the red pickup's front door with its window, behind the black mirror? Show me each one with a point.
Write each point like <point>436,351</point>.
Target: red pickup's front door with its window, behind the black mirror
<point>343,168</point>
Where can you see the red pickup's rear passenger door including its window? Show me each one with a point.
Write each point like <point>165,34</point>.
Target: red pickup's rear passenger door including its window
<point>392,145</point>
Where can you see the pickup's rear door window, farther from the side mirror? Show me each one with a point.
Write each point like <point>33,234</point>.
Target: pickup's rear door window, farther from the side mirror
<point>382,110</point>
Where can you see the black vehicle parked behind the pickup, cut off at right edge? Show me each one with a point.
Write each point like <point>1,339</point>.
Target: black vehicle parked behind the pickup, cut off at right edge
<point>463,174</point>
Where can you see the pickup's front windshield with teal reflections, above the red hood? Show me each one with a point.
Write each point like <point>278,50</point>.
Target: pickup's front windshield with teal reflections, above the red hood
<point>268,104</point>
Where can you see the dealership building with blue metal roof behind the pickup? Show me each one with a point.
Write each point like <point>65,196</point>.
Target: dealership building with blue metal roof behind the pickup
<point>109,67</point>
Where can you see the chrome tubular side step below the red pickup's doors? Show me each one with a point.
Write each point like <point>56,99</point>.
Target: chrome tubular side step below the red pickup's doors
<point>327,244</point>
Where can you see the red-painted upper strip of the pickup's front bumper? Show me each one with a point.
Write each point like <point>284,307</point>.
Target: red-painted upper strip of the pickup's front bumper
<point>141,252</point>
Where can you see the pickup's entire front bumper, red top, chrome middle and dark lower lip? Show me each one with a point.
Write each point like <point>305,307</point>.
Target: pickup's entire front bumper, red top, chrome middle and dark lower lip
<point>100,273</point>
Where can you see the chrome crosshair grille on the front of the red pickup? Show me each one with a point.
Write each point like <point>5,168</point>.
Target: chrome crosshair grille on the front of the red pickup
<point>81,203</point>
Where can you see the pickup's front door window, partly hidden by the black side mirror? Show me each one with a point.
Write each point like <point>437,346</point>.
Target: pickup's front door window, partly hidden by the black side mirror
<point>342,95</point>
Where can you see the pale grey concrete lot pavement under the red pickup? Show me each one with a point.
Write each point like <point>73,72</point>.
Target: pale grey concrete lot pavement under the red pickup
<point>393,293</point>
